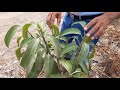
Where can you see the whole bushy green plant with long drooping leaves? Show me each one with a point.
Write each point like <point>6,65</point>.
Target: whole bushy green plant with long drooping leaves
<point>45,52</point>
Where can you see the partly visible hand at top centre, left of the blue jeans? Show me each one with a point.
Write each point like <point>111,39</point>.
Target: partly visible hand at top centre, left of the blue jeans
<point>52,16</point>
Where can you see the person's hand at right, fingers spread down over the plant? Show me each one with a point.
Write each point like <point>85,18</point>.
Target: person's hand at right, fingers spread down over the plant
<point>99,24</point>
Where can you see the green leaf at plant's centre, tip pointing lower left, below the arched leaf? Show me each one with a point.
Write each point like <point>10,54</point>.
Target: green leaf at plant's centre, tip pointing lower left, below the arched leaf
<point>68,48</point>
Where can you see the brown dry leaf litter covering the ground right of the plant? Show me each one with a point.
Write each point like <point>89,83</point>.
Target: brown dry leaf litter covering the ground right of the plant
<point>108,52</point>
